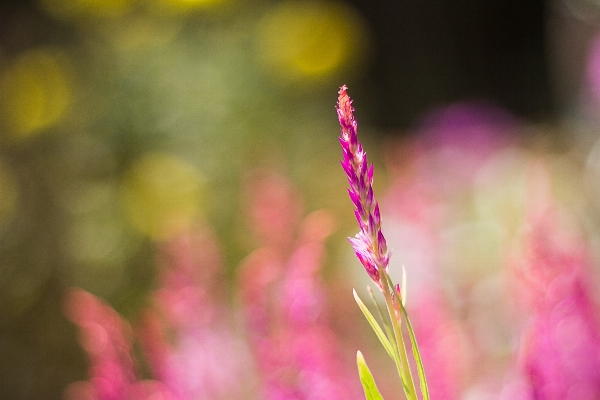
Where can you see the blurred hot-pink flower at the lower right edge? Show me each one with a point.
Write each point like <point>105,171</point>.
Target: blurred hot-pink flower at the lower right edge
<point>559,353</point>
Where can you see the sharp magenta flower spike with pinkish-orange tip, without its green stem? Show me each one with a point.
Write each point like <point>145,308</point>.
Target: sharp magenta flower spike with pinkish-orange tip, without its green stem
<point>369,244</point>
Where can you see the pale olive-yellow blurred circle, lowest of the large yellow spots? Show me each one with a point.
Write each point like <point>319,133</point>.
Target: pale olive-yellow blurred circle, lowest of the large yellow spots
<point>161,195</point>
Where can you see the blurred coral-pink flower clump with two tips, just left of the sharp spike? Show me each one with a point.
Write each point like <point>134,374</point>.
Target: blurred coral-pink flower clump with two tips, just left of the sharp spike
<point>283,299</point>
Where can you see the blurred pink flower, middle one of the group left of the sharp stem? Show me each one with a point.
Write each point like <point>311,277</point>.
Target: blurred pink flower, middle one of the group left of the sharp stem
<point>187,330</point>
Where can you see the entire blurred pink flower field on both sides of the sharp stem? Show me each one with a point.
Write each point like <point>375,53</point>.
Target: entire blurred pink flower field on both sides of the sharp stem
<point>501,284</point>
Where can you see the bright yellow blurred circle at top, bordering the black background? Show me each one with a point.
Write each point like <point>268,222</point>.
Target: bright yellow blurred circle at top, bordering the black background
<point>308,40</point>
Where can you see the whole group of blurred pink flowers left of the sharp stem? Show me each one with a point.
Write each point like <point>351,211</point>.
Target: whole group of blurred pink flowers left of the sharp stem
<point>187,337</point>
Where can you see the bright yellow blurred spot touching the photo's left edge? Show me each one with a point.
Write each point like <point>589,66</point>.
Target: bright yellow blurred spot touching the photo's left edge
<point>35,92</point>
